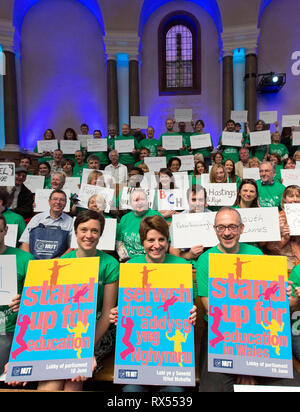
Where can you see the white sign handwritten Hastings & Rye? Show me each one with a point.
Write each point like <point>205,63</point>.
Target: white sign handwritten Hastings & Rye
<point>221,194</point>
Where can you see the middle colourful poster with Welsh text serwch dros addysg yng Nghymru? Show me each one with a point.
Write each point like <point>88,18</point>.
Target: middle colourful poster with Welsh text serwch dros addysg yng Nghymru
<point>155,341</point>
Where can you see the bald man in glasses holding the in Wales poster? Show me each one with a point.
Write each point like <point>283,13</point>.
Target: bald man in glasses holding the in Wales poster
<point>228,227</point>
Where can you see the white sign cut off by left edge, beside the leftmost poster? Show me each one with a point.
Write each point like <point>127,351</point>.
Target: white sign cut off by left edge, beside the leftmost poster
<point>8,279</point>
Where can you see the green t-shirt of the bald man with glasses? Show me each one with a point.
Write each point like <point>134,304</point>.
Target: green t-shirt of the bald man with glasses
<point>202,265</point>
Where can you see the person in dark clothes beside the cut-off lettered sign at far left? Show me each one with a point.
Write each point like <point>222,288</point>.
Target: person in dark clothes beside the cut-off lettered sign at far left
<point>20,198</point>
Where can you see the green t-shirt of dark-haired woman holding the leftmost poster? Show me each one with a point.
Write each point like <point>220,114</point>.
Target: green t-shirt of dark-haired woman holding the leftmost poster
<point>109,270</point>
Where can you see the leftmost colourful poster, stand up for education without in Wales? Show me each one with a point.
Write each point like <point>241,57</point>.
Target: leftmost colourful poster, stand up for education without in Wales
<point>54,336</point>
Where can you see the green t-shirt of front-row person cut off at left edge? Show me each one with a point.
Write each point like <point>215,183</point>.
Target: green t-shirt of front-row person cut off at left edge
<point>8,318</point>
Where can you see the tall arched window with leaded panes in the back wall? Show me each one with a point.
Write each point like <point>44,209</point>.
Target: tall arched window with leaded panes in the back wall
<point>179,54</point>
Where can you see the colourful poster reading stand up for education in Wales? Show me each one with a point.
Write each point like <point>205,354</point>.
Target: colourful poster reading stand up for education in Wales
<point>249,329</point>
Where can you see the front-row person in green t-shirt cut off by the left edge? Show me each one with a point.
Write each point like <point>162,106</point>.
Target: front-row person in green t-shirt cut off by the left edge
<point>9,313</point>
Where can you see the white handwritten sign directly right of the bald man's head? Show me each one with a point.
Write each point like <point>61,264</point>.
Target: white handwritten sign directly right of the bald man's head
<point>261,224</point>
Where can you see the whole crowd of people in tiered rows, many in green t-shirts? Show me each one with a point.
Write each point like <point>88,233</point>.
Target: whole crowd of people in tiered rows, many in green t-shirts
<point>124,186</point>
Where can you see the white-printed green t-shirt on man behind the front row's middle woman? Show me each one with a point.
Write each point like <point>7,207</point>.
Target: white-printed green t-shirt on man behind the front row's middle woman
<point>128,232</point>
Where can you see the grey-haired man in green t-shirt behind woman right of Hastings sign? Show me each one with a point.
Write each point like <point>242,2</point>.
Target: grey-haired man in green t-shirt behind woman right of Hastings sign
<point>270,190</point>
